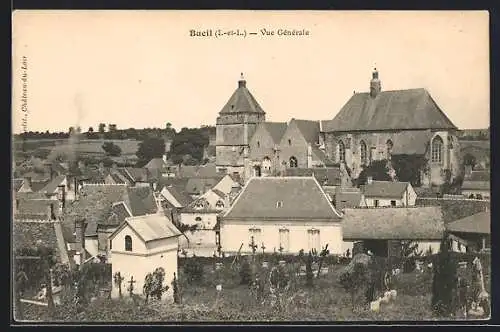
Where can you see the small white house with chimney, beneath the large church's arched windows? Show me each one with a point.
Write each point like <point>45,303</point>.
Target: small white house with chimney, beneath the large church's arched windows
<point>387,193</point>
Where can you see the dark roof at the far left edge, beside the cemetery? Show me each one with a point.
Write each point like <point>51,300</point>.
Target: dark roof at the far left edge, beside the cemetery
<point>28,234</point>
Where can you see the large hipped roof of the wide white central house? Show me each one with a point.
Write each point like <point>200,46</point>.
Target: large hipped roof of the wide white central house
<point>301,198</point>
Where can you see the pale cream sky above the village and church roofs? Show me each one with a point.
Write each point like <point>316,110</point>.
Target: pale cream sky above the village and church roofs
<point>142,69</point>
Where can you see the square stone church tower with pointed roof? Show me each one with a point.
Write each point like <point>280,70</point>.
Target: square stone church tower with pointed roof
<point>236,123</point>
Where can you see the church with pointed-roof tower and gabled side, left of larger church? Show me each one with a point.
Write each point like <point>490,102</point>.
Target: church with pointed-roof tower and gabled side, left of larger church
<point>248,145</point>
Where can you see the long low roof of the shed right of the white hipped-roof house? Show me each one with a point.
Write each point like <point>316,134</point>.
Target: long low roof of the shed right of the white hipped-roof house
<point>415,223</point>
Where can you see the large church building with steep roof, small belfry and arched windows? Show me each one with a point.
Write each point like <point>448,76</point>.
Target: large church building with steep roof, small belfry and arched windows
<point>381,125</point>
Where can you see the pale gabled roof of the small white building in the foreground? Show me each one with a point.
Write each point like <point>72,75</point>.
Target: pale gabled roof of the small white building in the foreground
<point>152,227</point>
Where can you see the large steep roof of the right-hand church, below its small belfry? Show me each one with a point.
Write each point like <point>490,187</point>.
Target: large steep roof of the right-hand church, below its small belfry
<point>389,110</point>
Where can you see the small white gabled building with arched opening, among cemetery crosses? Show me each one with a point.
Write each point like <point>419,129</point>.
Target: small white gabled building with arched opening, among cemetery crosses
<point>139,246</point>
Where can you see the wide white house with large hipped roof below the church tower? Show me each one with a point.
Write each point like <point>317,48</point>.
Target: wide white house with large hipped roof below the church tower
<point>293,213</point>
